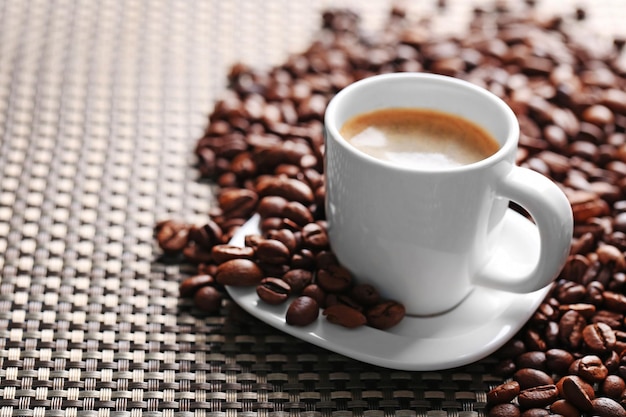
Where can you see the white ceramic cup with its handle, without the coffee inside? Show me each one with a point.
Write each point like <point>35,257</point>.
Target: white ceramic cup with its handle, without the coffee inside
<point>426,238</point>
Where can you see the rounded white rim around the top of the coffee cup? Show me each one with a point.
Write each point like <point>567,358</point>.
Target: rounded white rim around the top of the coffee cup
<point>511,140</point>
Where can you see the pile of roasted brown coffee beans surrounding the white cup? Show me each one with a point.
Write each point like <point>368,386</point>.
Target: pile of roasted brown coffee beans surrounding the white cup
<point>263,147</point>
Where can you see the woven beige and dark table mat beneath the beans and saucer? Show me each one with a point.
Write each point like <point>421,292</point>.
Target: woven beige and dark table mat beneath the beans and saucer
<point>101,103</point>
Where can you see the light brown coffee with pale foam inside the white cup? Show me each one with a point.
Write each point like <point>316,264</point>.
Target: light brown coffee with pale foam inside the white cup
<point>419,138</point>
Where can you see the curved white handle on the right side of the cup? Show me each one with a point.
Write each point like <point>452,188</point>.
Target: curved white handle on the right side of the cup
<point>552,213</point>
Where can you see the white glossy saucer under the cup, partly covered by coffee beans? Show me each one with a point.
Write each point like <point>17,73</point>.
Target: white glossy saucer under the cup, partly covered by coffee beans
<point>481,324</point>
